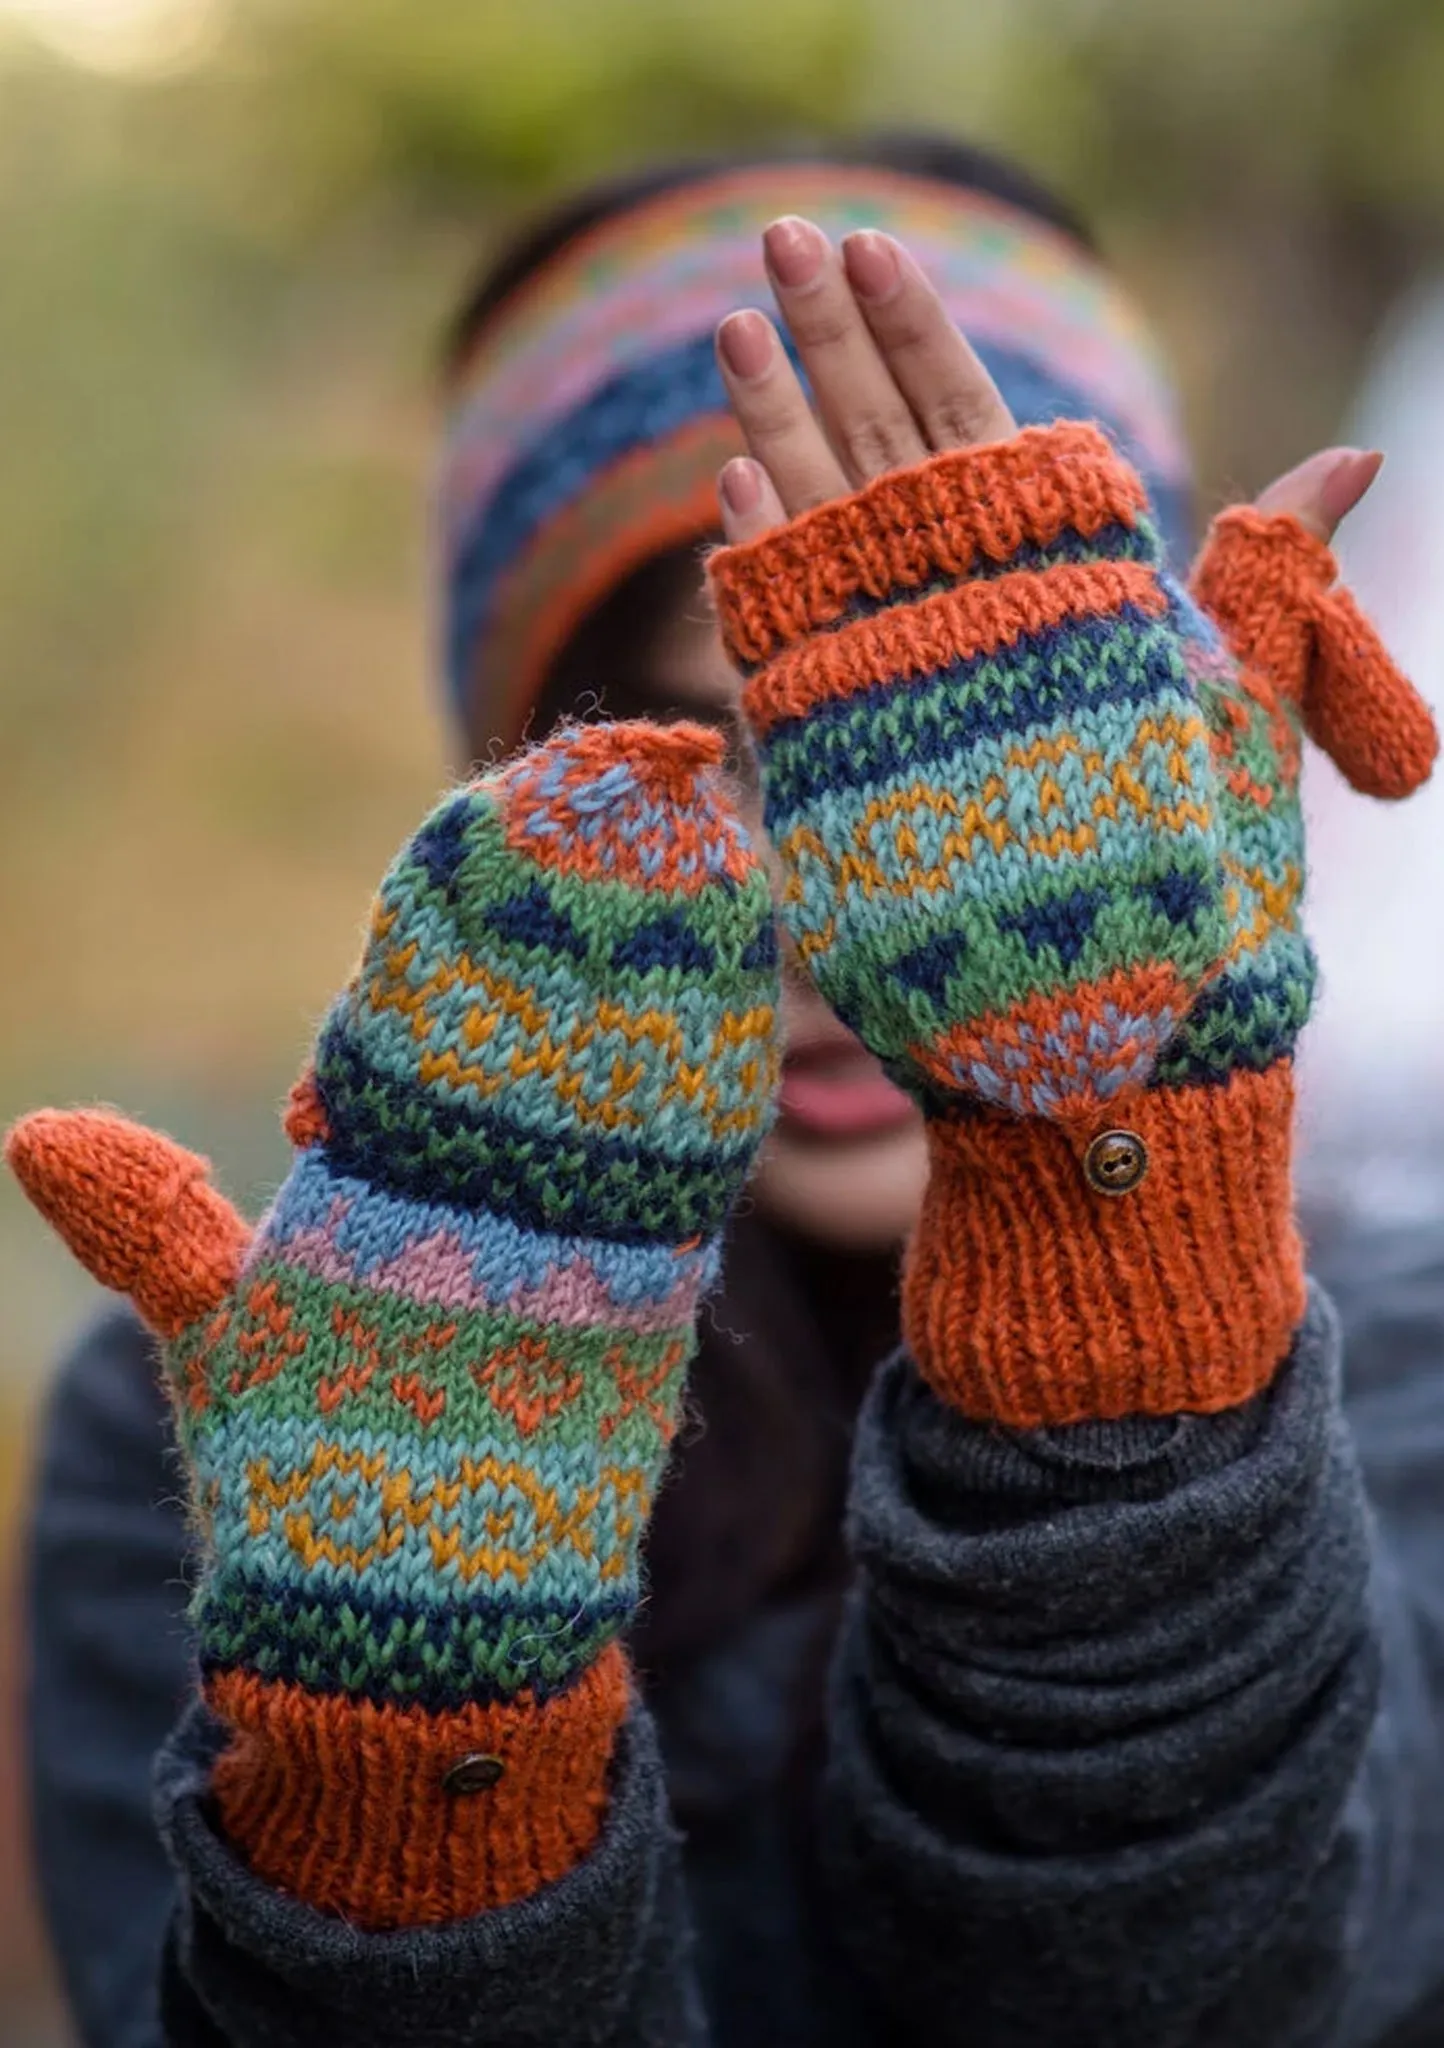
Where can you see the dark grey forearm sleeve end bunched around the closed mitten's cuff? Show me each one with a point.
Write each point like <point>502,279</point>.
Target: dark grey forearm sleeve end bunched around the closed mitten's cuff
<point>597,1961</point>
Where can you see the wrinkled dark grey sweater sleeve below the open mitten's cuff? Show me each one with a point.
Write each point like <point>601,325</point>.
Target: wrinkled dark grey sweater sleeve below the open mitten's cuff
<point>1138,1727</point>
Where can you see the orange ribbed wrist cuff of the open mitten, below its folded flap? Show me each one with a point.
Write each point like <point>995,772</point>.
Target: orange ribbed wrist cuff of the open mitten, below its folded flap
<point>1031,1299</point>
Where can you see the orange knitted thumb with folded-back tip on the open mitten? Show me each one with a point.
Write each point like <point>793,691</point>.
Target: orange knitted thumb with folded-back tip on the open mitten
<point>1273,589</point>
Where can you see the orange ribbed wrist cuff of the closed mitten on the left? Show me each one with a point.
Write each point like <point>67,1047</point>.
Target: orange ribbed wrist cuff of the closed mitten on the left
<point>398,1818</point>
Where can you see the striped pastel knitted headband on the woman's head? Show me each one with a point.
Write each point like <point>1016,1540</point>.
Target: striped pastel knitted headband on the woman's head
<point>589,423</point>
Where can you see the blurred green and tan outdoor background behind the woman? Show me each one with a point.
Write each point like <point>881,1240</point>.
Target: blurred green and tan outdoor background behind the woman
<point>230,237</point>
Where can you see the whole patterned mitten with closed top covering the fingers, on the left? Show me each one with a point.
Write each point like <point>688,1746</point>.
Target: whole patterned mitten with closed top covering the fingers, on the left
<point>427,1402</point>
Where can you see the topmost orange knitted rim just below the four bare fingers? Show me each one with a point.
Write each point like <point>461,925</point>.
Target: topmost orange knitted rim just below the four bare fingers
<point>912,527</point>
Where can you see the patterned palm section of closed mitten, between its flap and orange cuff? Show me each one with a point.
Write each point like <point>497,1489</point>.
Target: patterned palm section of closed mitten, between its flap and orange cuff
<point>435,1441</point>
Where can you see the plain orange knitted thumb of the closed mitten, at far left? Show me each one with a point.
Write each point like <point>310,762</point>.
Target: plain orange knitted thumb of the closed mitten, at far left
<point>136,1209</point>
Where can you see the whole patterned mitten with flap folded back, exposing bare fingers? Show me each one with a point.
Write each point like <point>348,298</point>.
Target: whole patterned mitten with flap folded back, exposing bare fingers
<point>1042,841</point>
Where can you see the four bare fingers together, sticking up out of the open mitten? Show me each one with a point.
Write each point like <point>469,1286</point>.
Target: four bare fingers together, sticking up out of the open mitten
<point>892,376</point>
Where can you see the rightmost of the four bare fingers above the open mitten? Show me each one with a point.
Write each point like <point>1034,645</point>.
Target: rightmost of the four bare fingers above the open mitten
<point>947,388</point>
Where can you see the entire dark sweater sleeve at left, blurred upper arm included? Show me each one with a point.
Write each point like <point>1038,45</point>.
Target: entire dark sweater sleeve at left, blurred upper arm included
<point>165,1934</point>
